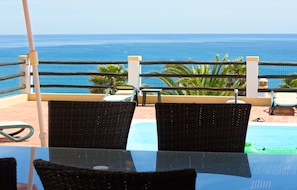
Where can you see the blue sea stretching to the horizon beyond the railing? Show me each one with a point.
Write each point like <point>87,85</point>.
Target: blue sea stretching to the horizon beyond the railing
<point>117,47</point>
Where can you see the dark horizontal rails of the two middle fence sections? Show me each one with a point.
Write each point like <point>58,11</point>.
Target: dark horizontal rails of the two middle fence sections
<point>141,75</point>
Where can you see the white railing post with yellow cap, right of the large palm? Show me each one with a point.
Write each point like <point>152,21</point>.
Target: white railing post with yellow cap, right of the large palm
<point>252,72</point>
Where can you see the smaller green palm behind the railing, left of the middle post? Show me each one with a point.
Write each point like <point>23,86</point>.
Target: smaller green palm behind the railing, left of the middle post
<point>108,80</point>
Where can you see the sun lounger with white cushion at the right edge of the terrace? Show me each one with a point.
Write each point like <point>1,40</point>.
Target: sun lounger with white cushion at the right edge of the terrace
<point>282,99</point>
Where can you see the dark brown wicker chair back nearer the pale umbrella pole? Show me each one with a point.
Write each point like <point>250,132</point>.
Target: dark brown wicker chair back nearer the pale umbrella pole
<point>89,124</point>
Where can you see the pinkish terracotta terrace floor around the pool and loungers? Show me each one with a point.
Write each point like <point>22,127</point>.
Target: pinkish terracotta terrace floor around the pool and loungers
<point>27,112</point>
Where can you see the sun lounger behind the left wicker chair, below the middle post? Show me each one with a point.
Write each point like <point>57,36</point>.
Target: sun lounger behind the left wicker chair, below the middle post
<point>121,93</point>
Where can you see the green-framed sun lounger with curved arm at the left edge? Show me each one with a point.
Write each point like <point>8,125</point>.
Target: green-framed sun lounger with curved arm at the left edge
<point>19,126</point>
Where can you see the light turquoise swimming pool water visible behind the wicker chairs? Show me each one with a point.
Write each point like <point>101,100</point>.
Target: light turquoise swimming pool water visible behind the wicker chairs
<point>143,135</point>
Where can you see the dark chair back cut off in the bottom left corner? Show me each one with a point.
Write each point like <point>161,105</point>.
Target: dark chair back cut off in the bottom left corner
<point>8,177</point>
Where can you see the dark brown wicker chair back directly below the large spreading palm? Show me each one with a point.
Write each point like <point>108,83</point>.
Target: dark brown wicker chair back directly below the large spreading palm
<point>202,127</point>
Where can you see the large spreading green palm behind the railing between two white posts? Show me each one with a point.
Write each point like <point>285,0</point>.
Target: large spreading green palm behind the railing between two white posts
<point>202,82</point>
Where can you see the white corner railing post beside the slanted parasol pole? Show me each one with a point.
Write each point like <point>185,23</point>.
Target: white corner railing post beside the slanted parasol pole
<point>25,80</point>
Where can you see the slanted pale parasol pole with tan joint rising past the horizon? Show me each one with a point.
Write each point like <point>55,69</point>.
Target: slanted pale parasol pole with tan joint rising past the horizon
<point>33,57</point>
